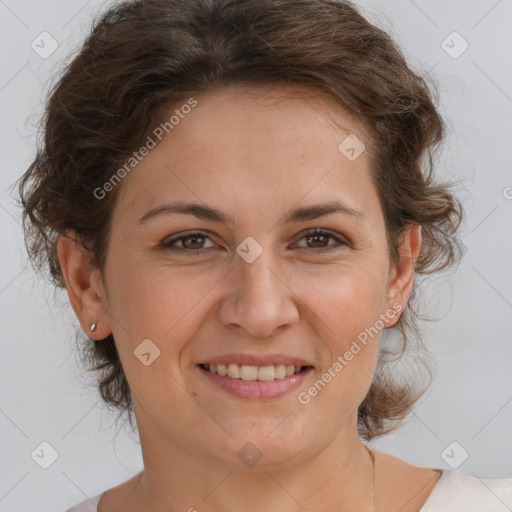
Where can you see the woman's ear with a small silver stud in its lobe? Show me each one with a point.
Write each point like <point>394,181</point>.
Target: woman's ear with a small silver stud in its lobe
<point>84,286</point>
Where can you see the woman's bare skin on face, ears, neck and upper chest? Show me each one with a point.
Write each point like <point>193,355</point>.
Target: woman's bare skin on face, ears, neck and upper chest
<point>253,156</point>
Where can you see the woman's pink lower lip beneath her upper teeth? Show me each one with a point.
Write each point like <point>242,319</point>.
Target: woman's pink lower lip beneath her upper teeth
<point>256,389</point>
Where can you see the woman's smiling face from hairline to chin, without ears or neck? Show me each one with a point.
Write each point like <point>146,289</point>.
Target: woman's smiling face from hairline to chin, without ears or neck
<point>254,286</point>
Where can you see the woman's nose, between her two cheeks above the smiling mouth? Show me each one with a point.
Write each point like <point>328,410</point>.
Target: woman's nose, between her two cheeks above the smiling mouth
<point>259,302</point>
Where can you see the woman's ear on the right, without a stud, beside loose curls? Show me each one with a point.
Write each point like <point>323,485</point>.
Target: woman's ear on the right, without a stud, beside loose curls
<point>402,275</point>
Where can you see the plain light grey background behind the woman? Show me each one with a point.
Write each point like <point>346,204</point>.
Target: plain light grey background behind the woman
<point>44,397</point>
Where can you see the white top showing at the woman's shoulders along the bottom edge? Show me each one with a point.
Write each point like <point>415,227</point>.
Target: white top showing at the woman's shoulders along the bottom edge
<point>454,491</point>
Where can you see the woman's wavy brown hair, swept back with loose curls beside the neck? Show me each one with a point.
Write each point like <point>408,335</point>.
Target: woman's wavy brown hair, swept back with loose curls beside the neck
<point>140,58</point>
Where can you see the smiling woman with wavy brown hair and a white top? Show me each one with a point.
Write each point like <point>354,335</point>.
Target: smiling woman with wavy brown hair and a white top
<point>236,197</point>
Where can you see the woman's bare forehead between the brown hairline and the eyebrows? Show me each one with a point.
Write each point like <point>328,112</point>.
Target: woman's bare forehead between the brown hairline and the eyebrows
<point>263,143</point>
